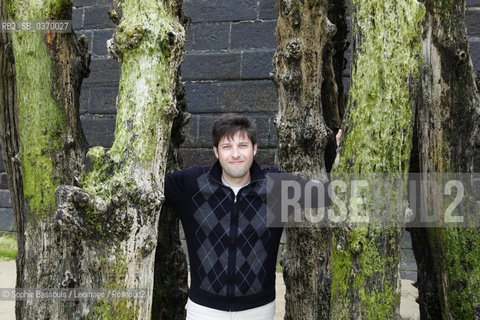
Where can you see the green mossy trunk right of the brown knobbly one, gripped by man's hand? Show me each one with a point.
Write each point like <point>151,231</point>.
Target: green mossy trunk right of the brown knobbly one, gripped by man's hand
<point>365,258</point>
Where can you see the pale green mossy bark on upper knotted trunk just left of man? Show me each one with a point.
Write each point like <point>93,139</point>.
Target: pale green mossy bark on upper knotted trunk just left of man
<point>145,104</point>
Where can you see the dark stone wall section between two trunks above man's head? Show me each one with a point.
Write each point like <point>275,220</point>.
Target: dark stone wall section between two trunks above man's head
<point>228,60</point>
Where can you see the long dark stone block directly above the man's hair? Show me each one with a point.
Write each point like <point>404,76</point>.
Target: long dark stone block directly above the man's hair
<point>235,96</point>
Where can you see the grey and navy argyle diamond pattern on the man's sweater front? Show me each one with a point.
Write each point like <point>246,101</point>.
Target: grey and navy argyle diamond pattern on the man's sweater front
<point>213,215</point>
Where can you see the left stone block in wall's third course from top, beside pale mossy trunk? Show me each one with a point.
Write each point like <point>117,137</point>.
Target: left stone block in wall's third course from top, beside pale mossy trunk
<point>209,66</point>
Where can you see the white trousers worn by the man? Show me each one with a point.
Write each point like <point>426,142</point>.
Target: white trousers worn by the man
<point>199,312</point>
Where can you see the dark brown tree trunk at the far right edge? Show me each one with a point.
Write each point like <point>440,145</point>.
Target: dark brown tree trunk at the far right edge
<point>447,125</point>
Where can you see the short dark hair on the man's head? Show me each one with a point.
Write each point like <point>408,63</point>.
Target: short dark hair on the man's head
<point>229,124</point>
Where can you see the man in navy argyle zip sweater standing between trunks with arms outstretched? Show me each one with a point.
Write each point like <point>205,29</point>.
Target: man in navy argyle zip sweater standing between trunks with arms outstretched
<point>232,250</point>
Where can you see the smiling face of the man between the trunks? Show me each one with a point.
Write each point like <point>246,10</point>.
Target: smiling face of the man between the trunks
<point>236,156</point>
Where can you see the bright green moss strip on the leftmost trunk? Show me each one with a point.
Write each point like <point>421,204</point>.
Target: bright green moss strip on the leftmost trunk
<point>41,121</point>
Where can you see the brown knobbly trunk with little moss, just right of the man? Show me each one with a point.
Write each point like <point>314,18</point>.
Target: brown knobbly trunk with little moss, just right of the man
<point>305,78</point>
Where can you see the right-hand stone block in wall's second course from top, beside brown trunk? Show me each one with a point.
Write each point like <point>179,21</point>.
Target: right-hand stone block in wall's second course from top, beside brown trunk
<point>257,34</point>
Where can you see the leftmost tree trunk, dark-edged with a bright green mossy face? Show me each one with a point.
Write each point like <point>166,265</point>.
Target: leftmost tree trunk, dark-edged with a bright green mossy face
<point>42,141</point>
